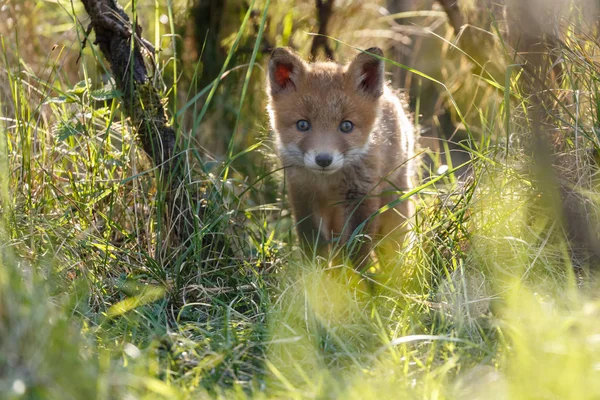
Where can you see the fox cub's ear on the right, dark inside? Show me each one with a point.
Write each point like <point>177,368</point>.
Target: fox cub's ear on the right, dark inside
<point>366,73</point>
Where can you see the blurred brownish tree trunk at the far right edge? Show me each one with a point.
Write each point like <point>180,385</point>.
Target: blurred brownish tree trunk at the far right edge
<point>531,27</point>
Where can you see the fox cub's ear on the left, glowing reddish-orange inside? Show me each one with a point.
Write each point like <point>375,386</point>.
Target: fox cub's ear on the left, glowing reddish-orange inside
<point>285,70</point>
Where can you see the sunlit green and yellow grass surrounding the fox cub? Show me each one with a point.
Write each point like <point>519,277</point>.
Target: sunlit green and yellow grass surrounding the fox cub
<point>487,302</point>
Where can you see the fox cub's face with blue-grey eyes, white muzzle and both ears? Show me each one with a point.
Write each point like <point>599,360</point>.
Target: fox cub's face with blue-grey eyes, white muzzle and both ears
<point>324,114</point>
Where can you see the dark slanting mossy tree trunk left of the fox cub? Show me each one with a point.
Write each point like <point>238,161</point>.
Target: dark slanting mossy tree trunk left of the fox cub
<point>143,104</point>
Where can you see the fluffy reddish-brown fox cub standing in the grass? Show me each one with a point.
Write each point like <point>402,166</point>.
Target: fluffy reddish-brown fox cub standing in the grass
<point>347,147</point>
